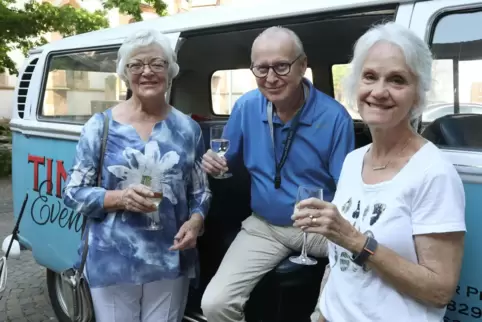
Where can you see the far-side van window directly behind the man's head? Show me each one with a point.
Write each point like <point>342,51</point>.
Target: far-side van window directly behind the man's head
<point>229,85</point>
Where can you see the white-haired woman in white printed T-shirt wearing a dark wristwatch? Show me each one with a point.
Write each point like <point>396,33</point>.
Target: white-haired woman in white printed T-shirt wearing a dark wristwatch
<point>396,225</point>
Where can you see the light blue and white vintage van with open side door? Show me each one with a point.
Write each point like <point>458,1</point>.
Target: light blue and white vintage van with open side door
<point>63,83</point>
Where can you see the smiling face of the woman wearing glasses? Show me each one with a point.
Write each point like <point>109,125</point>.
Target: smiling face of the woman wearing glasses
<point>148,81</point>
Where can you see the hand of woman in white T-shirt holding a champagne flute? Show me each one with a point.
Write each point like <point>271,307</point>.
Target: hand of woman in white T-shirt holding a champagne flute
<point>321,217</point>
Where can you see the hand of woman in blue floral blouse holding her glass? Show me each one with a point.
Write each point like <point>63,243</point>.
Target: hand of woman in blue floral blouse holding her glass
<point>135,199</point>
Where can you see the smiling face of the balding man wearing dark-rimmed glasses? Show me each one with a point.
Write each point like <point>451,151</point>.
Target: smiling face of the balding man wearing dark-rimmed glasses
<point>279,51</point>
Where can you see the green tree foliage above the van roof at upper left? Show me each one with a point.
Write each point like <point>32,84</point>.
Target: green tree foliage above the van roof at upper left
<point>22,26</point>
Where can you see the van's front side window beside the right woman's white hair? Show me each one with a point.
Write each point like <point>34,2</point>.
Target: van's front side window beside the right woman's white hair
<point>457,68</point>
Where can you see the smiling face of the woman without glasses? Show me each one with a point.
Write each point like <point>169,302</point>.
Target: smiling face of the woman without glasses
<point>387,88</point>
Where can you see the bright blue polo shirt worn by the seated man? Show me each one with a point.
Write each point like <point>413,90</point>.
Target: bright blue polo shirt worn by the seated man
<point>324,137</point>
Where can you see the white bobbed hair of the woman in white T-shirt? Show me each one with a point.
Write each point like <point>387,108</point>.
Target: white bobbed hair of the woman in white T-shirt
<point>418,58</point>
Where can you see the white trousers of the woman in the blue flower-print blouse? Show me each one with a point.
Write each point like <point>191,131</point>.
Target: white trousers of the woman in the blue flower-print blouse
<point>160,301</point>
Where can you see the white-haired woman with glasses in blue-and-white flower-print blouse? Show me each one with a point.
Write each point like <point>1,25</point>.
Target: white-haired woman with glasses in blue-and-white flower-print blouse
<point>137,274</point>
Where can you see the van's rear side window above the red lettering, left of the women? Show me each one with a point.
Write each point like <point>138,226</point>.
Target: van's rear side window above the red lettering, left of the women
<point>79,84</point>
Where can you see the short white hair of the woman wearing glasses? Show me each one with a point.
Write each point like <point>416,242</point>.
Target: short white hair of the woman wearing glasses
<point>145,38</point>
